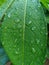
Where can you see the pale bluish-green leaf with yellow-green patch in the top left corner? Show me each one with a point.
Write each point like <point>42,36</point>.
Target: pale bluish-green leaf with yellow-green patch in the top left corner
<point>4,5</point>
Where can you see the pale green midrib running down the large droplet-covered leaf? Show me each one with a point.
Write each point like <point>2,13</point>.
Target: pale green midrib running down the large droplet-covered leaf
<point>24,28</point>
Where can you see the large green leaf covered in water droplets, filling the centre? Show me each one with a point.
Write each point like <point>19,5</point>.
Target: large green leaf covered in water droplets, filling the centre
<point>24,33</point>
